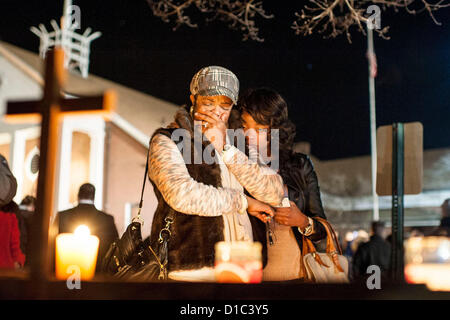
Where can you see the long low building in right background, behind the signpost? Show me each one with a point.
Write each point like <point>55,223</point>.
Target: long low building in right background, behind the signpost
<point>345,186</point>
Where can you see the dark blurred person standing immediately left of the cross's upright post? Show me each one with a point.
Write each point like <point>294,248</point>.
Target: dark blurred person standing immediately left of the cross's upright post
<point>25,218</point>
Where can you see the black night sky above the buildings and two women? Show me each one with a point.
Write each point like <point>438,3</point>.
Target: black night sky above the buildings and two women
<point>324,81</point>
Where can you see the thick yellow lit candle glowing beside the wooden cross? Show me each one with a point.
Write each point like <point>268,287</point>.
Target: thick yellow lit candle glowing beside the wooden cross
<point>76,250</point>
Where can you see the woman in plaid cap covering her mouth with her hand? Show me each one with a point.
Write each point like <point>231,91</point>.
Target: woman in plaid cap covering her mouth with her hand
<point>207,196</point>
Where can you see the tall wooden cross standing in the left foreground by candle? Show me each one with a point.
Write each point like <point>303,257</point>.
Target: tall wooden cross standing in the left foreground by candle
<point>51,108</point>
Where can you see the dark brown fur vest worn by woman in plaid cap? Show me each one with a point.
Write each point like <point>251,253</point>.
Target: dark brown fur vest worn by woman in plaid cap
<point>191,245</point>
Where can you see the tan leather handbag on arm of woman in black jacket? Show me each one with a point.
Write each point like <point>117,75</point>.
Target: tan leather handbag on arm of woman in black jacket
<point>328,267</point>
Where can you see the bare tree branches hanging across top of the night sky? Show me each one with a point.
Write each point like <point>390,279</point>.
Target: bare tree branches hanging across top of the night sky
<point>330,18</point>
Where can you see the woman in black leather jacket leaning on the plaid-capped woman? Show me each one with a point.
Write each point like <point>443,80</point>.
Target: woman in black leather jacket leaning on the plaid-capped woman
<point>262,110</point>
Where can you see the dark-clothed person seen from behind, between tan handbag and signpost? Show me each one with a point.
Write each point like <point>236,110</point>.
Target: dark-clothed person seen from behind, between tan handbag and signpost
<point>376,251</point>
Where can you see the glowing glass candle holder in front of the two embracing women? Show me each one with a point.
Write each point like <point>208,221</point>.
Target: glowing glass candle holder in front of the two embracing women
<point>238,262</point>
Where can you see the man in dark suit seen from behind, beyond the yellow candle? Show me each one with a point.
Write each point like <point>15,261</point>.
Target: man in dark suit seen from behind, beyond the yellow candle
<point>100,224</point>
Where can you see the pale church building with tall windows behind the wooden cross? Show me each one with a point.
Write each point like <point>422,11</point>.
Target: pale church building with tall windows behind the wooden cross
<point>110,155</point>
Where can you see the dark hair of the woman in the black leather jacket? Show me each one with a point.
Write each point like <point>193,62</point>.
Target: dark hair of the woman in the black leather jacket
<point>268,107</point>
